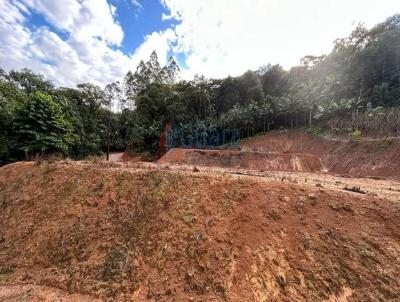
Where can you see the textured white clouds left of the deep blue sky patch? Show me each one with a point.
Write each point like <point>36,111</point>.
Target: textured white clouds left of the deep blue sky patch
<point>87,55</point>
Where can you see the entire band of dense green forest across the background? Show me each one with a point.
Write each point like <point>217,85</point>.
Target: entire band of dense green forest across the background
<point>354,89</point>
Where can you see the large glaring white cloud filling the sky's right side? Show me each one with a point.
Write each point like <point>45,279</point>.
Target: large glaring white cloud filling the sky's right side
<point>230,36</point>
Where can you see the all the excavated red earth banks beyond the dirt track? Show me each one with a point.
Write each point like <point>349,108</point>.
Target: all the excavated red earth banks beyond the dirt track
<point>297,151</point>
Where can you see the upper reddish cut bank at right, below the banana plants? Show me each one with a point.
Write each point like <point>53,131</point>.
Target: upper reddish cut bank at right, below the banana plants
<point>367,157</point>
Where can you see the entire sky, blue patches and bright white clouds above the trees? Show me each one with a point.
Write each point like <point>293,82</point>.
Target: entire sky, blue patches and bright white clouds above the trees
<point>98,41</point>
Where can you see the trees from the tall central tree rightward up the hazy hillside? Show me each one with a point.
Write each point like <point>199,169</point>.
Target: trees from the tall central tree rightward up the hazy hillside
<point>358,81</point>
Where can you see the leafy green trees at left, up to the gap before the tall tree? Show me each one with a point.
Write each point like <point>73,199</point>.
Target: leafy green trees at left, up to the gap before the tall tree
<point>37,118</point>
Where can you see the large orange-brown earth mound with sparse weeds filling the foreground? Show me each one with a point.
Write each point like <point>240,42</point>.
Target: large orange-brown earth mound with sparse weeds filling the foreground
<point>111,232</point>
